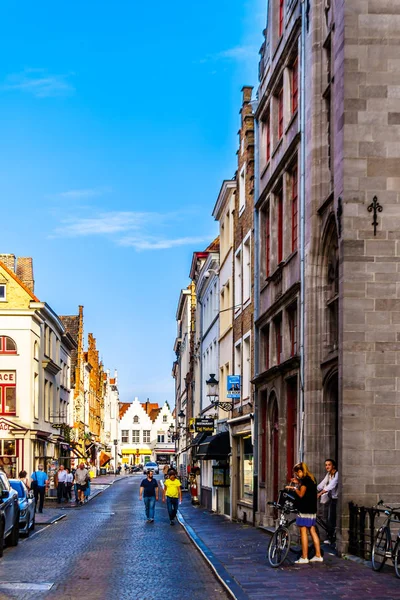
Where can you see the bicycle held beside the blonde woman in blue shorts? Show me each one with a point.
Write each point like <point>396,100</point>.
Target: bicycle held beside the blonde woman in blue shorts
<point>279,544</point>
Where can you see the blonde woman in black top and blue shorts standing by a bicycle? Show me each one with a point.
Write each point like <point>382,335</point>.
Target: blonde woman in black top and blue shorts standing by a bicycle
<point>306,489</point>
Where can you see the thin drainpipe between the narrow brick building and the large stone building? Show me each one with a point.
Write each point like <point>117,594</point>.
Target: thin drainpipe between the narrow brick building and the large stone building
<point>256,247</point>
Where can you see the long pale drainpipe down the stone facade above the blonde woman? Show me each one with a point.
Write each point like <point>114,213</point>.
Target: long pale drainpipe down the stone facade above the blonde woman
<point>302,221</point>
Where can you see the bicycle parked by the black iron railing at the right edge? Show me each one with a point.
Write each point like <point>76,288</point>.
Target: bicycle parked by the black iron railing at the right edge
<point>384,547</point>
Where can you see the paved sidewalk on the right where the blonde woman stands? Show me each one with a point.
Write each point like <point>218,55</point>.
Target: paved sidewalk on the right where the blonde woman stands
<point>237,553</point>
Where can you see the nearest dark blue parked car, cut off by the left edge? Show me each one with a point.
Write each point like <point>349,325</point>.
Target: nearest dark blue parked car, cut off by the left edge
<point>9,513</point>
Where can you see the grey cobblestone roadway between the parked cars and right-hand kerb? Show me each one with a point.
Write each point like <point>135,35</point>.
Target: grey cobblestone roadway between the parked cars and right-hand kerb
<point>106,550</point>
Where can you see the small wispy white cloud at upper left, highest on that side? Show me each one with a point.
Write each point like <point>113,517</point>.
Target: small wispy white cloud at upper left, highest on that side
<point>39,83</point>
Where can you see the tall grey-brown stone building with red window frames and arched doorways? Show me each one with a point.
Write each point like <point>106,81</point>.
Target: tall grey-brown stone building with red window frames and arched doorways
<point>329,264</point>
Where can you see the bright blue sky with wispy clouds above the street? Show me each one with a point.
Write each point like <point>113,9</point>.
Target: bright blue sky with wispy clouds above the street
<point>118,124</point>
